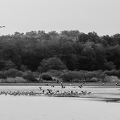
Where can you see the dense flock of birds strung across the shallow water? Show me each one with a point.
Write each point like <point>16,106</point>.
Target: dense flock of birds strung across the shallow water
<point>48,92</point>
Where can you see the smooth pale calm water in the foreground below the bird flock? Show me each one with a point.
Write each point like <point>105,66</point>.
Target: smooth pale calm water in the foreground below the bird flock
<point>50,108</point>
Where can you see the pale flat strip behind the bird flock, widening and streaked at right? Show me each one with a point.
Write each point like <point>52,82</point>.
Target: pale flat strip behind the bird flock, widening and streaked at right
<point>106,93</point>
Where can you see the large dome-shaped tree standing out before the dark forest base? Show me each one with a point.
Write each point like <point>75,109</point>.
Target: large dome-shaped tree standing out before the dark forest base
<point>51,63</point>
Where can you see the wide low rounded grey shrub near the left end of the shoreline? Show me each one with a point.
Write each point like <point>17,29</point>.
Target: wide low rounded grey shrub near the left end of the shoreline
<point>13,73</point>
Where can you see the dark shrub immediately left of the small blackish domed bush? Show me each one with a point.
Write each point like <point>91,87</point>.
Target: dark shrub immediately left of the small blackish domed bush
<point>29,77</point>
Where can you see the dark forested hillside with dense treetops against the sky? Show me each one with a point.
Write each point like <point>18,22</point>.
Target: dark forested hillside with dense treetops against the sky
<point>73,50</point>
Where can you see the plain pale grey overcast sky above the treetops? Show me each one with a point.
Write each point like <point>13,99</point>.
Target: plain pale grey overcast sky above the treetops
<point>101,16</point>
